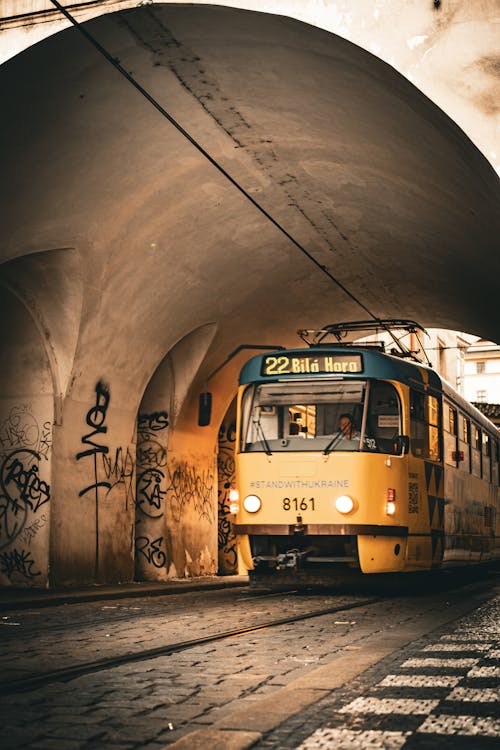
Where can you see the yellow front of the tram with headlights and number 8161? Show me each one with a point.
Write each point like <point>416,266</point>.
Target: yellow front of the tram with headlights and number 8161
<point>321,465</point>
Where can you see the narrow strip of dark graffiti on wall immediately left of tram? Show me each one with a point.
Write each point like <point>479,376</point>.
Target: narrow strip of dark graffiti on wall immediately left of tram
<point>226,475</point>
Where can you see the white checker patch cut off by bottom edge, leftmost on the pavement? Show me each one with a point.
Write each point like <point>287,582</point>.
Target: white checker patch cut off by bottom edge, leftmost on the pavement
<point>352,739</point>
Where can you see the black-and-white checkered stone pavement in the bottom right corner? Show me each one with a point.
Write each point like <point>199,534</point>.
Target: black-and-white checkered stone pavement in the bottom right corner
<point>439,694</point>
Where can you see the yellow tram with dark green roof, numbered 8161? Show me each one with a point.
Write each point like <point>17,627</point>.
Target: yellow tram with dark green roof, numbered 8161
<point>351,458</point>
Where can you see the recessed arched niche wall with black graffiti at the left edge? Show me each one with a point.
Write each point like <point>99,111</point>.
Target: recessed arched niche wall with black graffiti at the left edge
<point>26,417</point>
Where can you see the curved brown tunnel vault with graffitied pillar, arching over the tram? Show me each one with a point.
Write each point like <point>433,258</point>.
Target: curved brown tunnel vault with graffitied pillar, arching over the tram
<point>372,178</point>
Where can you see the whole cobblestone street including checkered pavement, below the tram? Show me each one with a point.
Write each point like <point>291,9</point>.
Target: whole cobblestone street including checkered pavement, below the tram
<point>399,667</point>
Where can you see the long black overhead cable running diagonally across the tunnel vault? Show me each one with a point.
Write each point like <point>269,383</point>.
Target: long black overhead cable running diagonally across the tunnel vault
<point>116,64</point>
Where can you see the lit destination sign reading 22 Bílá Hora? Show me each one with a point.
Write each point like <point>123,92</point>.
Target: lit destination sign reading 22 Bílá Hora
<point>328,363</point>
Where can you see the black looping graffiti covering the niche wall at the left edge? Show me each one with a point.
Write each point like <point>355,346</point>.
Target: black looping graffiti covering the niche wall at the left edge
<point>24,446</point>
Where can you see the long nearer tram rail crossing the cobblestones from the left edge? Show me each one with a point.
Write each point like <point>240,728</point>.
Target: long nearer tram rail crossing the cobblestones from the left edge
<point>66,674</point>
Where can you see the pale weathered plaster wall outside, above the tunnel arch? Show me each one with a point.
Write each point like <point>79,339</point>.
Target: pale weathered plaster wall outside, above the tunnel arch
<point>449,50</point>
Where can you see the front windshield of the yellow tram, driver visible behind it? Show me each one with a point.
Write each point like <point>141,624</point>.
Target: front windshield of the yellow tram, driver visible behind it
<point>351,415</point>
